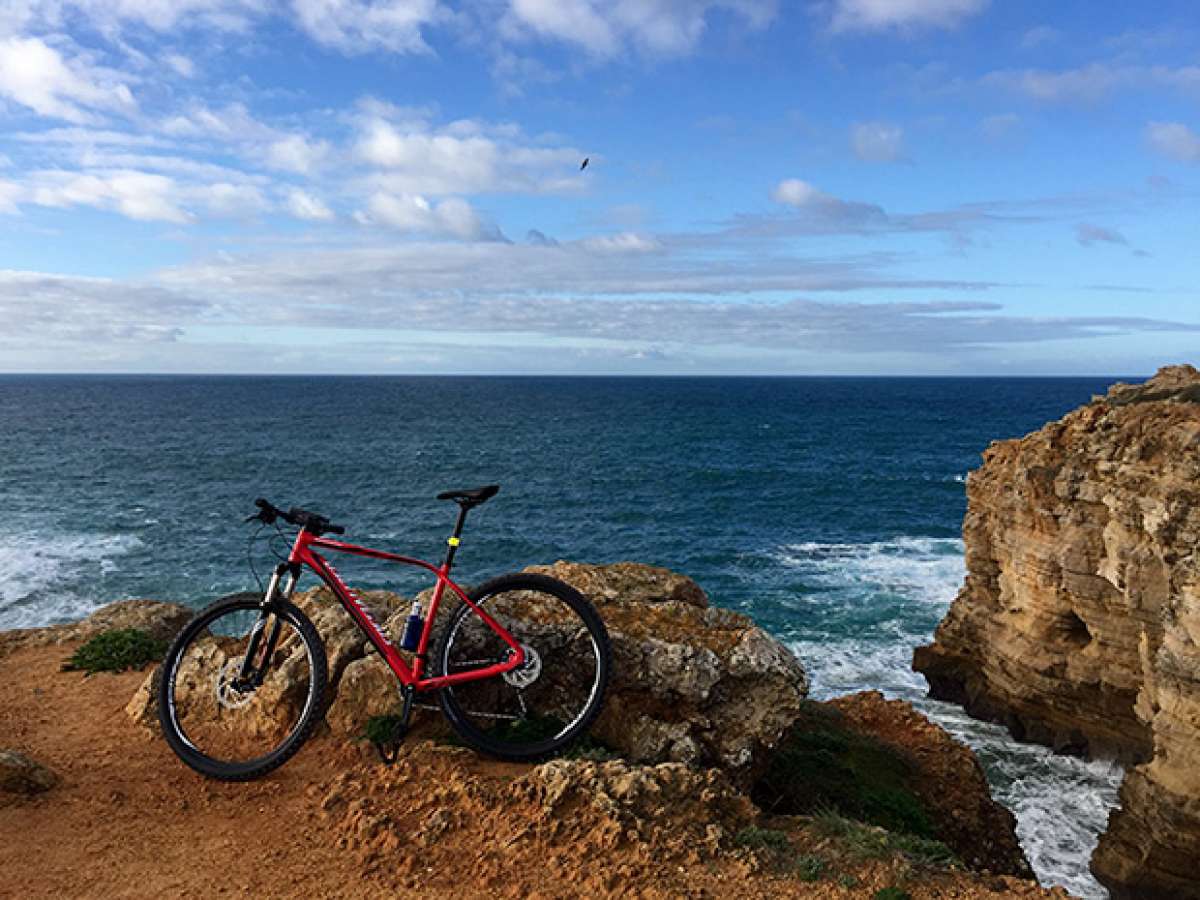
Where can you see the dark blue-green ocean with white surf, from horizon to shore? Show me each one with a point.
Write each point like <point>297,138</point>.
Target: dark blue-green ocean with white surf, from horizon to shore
<point>829,509</point>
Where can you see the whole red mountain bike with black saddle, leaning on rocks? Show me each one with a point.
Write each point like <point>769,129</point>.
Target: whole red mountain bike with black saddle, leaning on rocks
<point>520,668</point>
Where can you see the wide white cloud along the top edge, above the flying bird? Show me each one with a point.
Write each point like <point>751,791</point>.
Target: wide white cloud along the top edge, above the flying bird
<point>604,28</point>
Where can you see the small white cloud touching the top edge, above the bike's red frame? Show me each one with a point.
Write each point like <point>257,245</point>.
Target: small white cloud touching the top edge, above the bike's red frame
<point>357,27</point>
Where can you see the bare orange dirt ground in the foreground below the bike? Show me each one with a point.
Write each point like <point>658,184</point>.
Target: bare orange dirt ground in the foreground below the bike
<point>130,821</point>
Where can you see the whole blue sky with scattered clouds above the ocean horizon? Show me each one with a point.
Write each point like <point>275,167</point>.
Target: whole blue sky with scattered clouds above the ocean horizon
<point>838,187</point>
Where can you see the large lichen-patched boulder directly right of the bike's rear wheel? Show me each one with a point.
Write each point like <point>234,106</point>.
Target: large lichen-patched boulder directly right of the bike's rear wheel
<point>692,683</point>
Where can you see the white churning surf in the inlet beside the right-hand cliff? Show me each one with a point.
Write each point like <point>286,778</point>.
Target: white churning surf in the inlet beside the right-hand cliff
<point>879,601</point>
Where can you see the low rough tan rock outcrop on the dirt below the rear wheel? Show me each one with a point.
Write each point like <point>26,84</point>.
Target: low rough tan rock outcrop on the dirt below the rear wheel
<point>669,812</point>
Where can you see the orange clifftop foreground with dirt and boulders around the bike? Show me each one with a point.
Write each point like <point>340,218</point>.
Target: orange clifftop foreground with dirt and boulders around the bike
<point>704,698</point>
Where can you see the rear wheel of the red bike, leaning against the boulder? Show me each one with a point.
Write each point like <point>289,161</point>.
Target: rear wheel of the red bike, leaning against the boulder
<point>543,707</point>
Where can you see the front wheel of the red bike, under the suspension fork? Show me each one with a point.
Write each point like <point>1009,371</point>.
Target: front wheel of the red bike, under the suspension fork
<point>242,688</point>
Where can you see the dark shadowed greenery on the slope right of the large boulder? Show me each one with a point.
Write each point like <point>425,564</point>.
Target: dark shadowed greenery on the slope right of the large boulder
<point>823,764</point>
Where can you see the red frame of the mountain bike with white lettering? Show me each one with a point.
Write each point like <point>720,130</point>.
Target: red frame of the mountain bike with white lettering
<point>413,677</point>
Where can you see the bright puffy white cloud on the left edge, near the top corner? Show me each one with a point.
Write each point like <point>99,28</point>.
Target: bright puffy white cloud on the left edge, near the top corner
<point>37,76</point>
